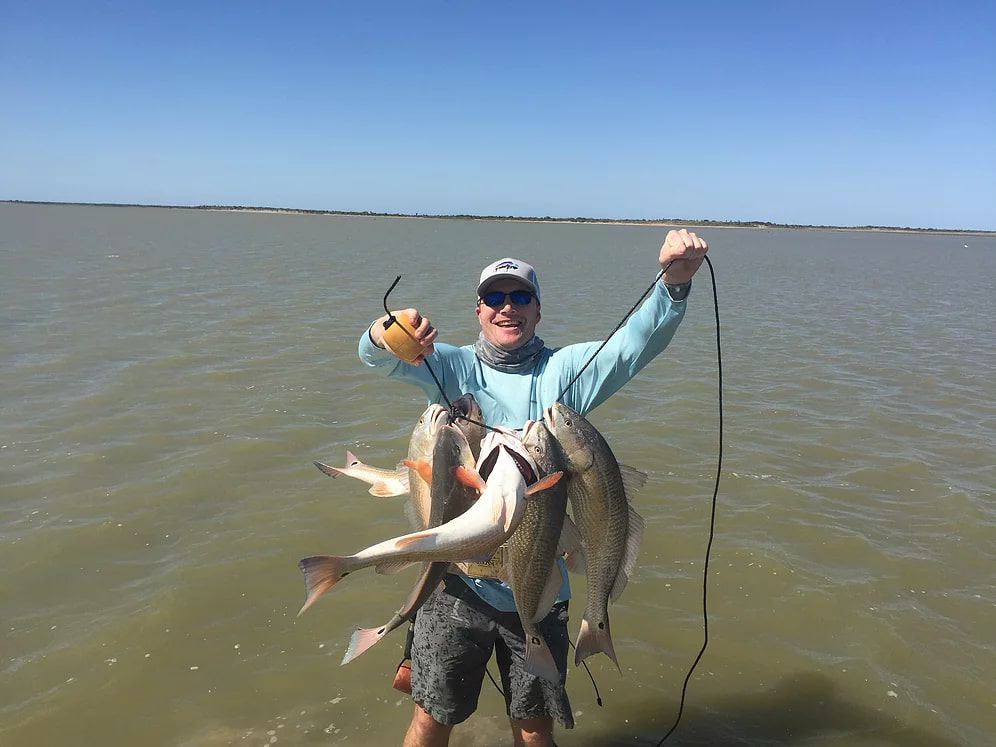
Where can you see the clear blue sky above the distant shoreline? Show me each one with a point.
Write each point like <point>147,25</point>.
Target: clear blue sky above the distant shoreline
<point>842,113</point>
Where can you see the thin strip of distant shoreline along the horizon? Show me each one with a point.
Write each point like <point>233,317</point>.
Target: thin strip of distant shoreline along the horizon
<point>527,219</point>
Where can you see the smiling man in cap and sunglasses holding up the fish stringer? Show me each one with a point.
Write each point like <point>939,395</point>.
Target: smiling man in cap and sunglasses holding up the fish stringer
<point>514,376</point>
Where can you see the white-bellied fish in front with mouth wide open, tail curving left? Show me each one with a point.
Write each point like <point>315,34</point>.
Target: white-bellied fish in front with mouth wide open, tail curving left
<point>475,533</point>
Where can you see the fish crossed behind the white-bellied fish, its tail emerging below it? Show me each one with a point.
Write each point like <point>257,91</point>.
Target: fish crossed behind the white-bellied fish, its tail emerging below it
<point>449,498</point>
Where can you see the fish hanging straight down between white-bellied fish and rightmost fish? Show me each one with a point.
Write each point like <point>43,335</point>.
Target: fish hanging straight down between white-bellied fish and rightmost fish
<point>530,560</point>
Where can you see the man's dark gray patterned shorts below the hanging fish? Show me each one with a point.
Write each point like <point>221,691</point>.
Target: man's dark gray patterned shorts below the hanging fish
<point>455,633</point>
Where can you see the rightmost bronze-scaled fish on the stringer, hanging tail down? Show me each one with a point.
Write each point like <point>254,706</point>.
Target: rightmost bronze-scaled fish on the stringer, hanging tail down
<point>598,489</point>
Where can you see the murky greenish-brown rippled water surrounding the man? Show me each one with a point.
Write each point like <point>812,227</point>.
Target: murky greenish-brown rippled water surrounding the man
<point>168,376</point>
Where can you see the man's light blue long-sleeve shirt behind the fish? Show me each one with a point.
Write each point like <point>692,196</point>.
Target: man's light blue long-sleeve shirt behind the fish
<point>510,399</point>
